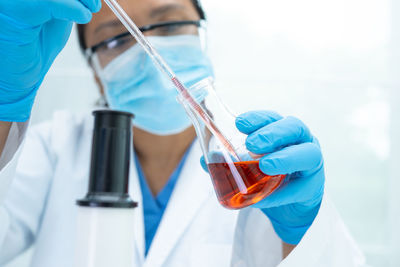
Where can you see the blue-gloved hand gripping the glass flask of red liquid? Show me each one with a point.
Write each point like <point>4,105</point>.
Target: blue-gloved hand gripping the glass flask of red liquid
<point>291,149</point>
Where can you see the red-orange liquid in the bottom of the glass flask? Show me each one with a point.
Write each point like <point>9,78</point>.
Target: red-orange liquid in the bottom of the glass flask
<point>258,184</point>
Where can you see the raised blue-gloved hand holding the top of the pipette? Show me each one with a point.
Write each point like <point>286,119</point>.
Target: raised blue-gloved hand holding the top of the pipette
<point>32,33</point>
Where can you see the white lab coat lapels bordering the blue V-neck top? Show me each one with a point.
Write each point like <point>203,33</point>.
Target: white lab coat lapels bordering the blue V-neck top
<point>191,191</point>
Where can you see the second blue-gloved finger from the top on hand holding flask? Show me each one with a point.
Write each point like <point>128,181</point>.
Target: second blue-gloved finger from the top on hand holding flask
<point>278,134</point>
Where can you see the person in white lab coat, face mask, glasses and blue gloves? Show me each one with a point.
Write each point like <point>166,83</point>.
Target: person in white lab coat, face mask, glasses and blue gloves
<point>180,222</point>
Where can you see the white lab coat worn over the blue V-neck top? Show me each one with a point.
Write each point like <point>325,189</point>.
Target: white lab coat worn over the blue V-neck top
<point>52,173</point>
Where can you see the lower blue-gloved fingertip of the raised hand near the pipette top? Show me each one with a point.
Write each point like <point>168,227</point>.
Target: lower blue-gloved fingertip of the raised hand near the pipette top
<point>70,10</point>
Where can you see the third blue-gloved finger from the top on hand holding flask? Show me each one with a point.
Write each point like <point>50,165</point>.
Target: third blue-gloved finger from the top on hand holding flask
<point>305,157</point>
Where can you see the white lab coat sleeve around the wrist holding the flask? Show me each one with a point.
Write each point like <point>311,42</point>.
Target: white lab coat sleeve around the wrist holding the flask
<point>327,243</point>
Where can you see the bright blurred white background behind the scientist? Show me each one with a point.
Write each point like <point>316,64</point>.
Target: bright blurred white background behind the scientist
<point>333,63</point>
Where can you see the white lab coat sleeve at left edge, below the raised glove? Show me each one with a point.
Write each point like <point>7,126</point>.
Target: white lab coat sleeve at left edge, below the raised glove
<point>22,200</point>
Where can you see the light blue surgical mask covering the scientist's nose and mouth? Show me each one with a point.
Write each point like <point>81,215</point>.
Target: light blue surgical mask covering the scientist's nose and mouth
<point>133,83</point>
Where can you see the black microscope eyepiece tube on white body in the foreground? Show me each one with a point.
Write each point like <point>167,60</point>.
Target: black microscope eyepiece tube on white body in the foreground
<point>104,233</point>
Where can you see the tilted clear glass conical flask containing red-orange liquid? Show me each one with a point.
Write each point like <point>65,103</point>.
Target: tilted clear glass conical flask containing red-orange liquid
<point>237,179</point>
